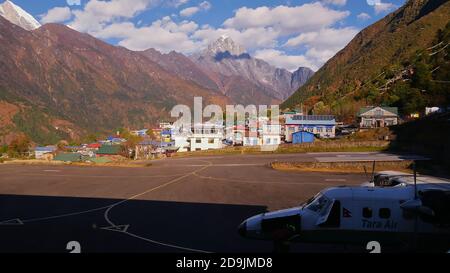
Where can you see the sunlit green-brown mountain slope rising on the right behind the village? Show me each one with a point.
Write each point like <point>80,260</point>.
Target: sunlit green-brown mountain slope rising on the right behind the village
<point>373,58</point>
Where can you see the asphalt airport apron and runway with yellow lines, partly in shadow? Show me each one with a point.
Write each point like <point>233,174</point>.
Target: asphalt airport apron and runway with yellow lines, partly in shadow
<point>175,205</point>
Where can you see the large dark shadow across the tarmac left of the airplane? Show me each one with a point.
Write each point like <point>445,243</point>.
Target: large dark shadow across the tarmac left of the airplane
<point>206,227</point>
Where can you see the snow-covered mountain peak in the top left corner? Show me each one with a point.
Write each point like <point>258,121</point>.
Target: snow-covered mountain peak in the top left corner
<point>18,16</point>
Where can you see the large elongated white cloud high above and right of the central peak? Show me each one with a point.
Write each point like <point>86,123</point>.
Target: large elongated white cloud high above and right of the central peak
<point>287,20</point>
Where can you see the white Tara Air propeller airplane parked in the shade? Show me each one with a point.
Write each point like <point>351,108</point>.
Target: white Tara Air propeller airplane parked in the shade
<point>399,211</point>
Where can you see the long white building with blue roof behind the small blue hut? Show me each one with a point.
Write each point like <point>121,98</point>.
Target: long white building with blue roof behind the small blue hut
<point>323,126</point>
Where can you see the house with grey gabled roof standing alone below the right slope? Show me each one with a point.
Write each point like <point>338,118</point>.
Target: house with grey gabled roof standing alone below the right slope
<point>378,117</point>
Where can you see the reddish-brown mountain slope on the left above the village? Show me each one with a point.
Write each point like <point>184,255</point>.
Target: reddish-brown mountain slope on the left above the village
<point>57,75</point>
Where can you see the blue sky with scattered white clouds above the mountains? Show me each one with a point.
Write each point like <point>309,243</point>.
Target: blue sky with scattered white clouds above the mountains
<point>285,33</point>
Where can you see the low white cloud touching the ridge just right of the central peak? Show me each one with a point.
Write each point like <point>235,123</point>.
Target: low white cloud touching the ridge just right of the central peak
<point>281,59</point>
